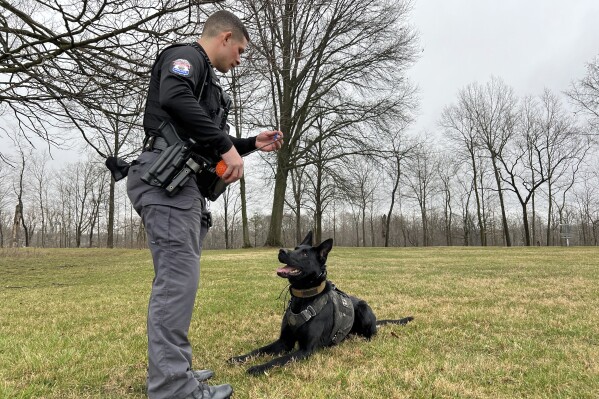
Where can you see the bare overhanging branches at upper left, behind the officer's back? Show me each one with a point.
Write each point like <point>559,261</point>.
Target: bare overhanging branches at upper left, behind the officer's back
<point>63,54</point>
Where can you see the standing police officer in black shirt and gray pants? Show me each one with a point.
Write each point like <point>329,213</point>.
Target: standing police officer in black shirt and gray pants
<point>185,91</point>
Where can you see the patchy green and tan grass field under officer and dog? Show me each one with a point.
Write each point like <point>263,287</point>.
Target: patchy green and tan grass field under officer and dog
<point>489,323</point>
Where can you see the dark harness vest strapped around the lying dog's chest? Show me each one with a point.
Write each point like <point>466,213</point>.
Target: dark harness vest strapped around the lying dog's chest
<point>343,314</point>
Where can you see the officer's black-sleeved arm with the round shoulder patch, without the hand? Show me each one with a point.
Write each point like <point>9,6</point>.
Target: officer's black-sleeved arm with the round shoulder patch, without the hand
<point>181,71</point>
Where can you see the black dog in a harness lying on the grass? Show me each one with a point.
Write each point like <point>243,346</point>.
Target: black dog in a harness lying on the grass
<point>318,314</point>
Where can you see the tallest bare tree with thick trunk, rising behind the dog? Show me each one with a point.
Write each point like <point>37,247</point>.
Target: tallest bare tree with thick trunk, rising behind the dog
<point>353,53</point>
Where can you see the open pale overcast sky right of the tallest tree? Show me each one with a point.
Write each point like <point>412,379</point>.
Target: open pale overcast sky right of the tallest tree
<point>530,44</point>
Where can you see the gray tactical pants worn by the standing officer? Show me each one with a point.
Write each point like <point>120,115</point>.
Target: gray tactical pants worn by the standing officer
<point>176,227</point>
